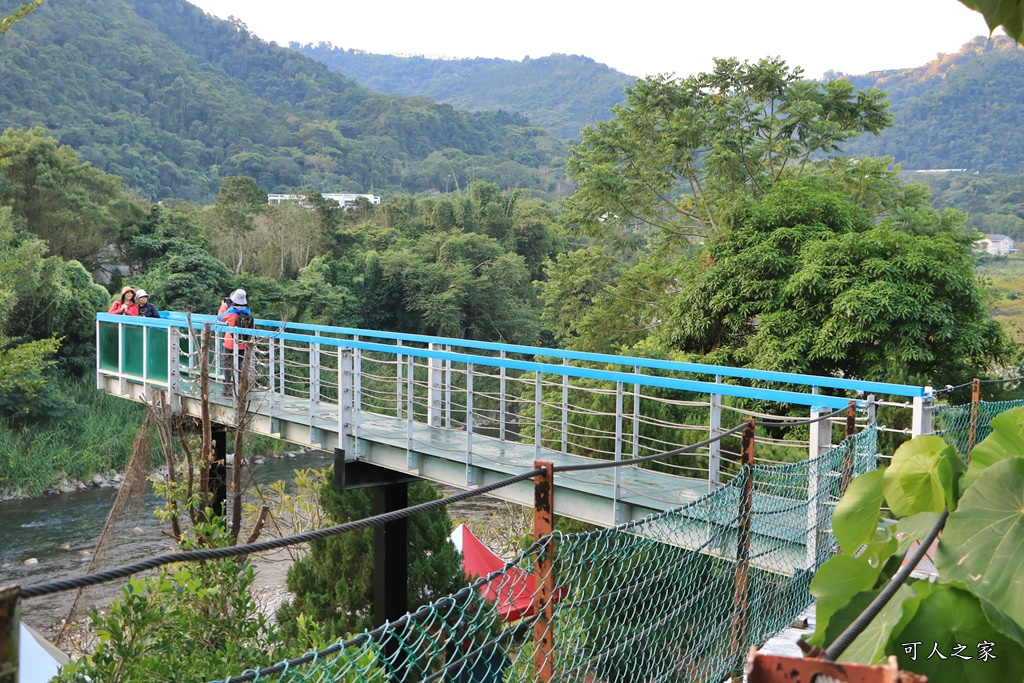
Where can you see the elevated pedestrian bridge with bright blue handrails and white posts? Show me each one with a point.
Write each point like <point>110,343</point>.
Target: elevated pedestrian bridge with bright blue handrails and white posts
<point>467,414</point>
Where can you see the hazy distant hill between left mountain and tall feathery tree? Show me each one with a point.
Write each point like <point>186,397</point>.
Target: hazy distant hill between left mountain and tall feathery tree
<point>561,93</point>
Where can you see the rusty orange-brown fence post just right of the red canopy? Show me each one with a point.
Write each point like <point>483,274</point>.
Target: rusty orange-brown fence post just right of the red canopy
<point>544,576</point>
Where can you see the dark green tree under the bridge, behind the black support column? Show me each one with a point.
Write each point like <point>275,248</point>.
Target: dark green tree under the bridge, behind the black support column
<point>333,585</point>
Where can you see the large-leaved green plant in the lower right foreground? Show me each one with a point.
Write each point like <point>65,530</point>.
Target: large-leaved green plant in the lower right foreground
<point>969,624</point>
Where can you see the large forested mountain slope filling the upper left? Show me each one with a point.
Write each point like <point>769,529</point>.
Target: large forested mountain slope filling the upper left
<point>173,101</point>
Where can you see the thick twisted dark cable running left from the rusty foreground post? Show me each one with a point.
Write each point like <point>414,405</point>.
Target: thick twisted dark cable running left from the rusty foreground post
<point>50,588</point>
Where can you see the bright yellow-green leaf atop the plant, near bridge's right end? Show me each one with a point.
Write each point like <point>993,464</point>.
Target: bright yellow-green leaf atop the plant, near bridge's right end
<point>922,478</point>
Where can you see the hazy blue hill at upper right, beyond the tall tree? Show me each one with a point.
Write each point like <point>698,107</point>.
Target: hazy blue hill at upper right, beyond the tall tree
<point>964,110</point>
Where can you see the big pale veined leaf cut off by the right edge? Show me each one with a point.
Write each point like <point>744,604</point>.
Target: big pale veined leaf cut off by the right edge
<point>984,542</point>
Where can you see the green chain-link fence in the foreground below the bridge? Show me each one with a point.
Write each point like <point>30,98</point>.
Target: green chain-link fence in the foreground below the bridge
<point>654,601</point>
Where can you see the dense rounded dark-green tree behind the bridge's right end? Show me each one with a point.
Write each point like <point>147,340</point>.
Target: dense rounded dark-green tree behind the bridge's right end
<point>803,280</point>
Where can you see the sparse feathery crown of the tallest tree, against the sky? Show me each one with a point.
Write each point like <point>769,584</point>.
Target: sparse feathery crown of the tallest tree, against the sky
<point>679,151</point>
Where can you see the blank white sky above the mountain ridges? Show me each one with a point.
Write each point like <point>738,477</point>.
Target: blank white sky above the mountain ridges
<point>638,37</point>
